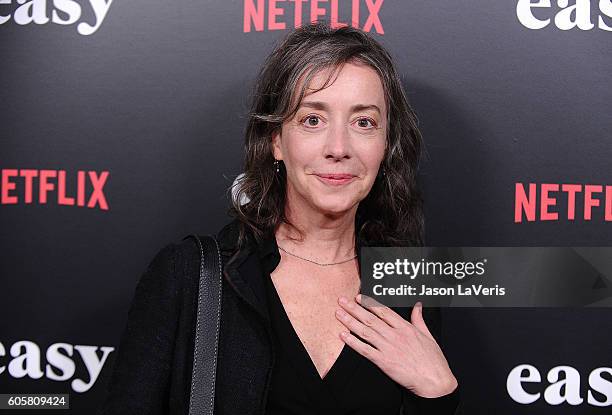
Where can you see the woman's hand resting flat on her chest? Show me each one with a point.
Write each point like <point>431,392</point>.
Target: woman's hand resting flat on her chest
<point>405,351</point>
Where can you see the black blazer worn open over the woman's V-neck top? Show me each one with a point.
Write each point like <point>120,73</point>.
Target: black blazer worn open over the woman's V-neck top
<point>153,365</point>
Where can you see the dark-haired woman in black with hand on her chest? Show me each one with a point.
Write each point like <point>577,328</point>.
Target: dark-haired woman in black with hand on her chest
<point>331,154</point>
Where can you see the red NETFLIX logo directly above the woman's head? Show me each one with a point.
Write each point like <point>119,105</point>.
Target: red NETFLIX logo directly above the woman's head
<point>260,15</point>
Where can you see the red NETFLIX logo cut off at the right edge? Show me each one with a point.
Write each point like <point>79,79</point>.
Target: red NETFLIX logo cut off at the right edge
<point>552,201</point>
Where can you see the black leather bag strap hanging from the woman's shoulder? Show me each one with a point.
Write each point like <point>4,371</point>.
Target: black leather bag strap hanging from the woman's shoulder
<point>202,398</point>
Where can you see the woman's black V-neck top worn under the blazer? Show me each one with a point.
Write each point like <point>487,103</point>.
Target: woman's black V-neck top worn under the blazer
<point>353,385</point>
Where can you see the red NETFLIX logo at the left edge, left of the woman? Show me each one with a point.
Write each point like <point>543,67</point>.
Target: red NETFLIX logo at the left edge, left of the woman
<point>27,186</point>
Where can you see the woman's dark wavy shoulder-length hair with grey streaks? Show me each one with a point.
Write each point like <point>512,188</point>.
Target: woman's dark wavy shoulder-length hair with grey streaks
<point>391,214</point>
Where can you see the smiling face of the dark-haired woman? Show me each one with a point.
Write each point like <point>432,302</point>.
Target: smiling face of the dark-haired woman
<point>333,146</point>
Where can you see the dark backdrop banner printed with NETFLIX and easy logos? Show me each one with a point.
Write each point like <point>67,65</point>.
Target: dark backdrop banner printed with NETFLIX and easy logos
<point>122,128</point>
